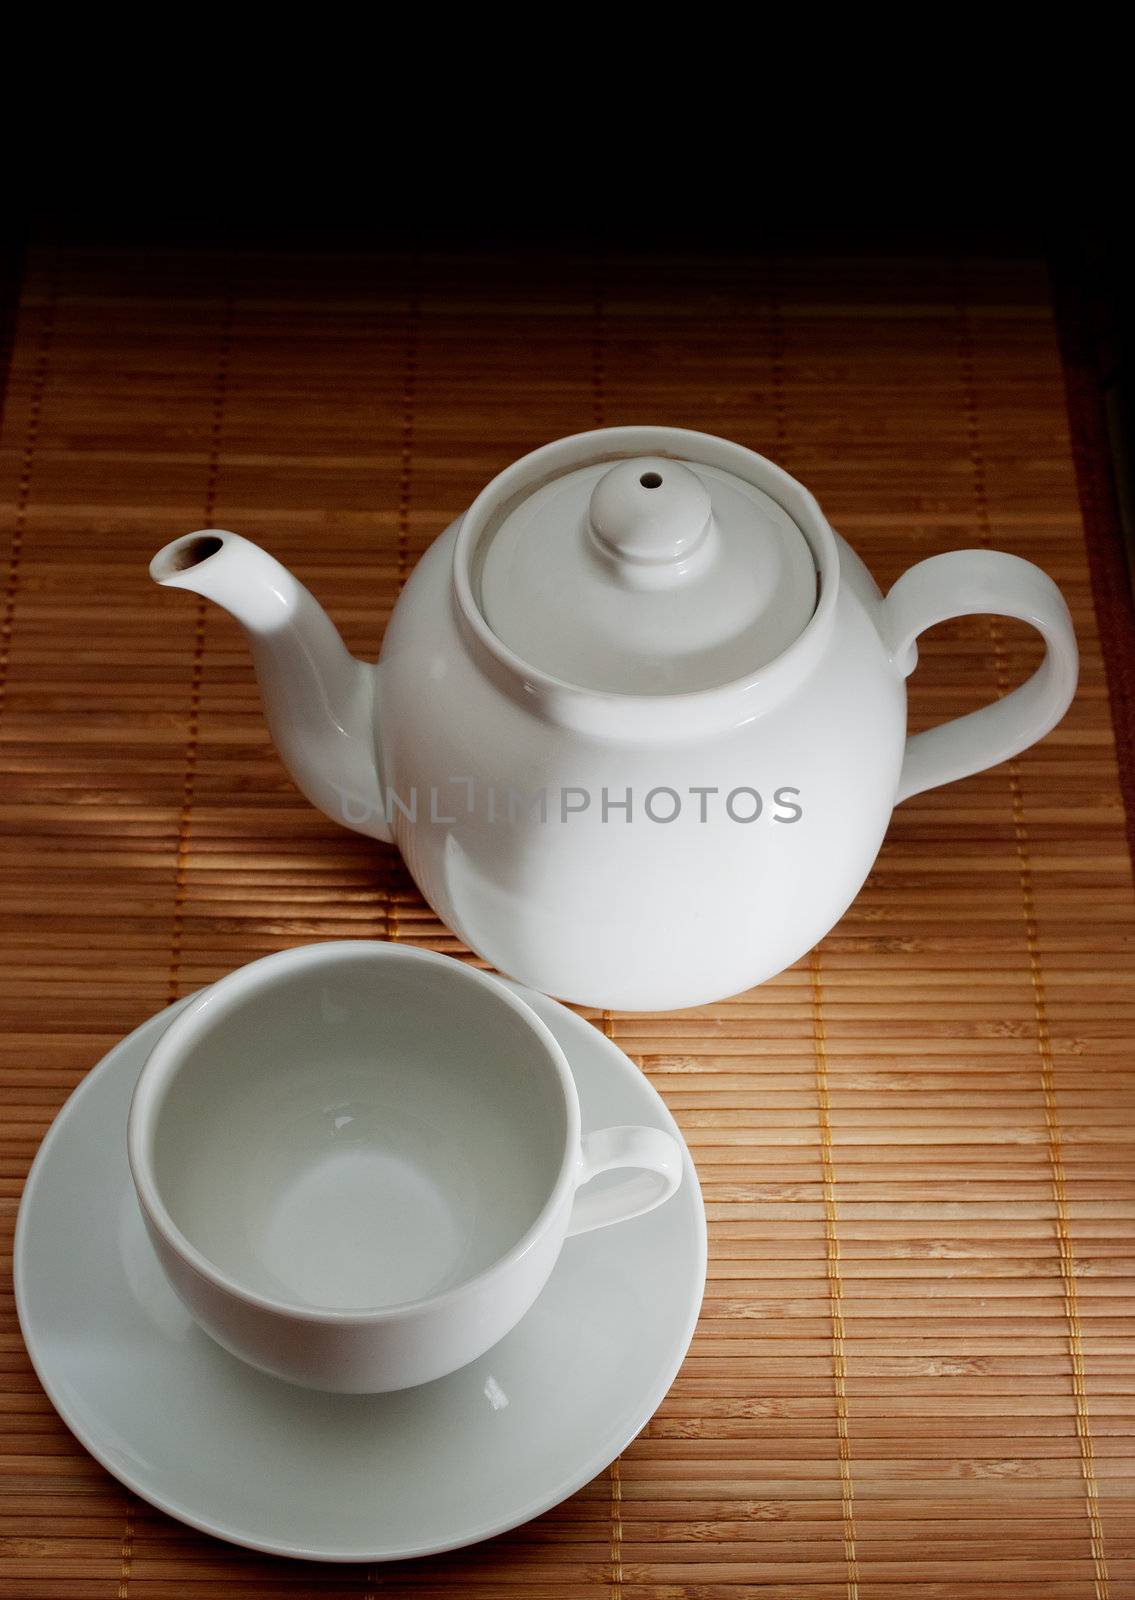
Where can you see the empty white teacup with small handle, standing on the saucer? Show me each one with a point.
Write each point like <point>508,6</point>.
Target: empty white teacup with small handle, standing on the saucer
<point>358,1162</point>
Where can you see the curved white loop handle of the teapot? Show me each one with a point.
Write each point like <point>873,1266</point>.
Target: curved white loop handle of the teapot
<point>965,583</point>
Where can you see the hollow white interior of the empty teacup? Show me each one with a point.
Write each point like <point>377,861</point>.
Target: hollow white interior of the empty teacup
<point>356,1132</point>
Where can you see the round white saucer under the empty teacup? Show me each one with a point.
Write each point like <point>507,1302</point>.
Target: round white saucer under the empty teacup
<point>348,1478</point>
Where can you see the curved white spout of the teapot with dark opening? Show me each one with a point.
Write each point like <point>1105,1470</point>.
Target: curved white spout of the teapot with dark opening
<point>319,702</point>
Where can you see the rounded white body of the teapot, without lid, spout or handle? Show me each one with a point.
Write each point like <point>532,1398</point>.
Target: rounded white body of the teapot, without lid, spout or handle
<point>632,874</point>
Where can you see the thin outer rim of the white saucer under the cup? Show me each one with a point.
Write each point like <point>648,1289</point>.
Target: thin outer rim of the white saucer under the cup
<point>572,1486</point>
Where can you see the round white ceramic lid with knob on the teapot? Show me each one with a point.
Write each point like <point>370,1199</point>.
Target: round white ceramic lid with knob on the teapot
<point>648,575</point>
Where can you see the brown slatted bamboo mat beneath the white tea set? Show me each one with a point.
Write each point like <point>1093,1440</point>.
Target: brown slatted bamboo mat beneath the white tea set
<point>916,1367</point>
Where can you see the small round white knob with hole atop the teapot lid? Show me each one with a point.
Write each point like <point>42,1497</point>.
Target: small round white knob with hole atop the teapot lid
<point>651,511</point>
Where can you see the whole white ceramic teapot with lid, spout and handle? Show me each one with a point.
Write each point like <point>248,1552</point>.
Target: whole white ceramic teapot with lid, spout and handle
<point>640,719</point>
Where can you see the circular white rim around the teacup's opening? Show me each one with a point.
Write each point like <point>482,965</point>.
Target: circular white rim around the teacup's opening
<point>265,974</point>
